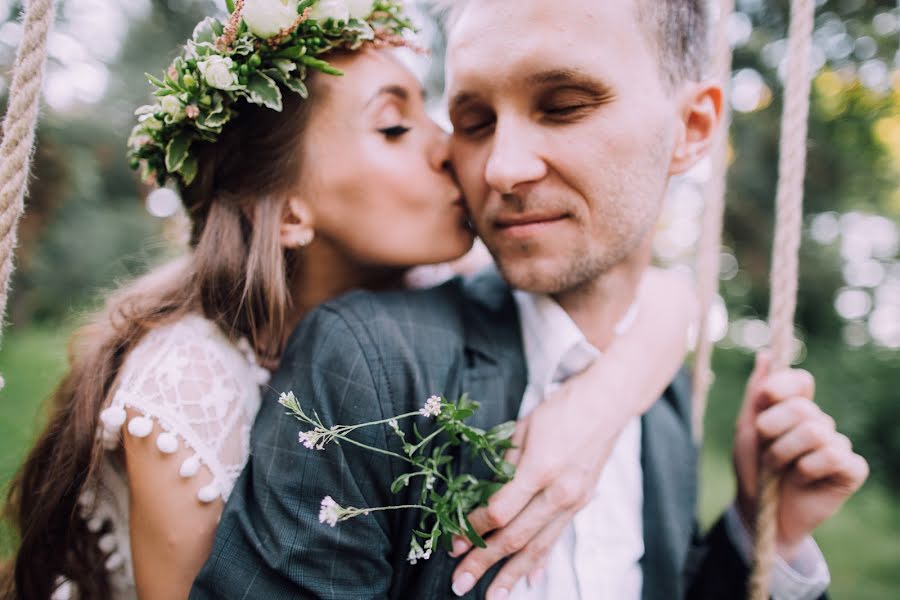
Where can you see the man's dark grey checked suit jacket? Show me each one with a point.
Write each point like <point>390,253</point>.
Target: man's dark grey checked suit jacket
<point>367,357</point>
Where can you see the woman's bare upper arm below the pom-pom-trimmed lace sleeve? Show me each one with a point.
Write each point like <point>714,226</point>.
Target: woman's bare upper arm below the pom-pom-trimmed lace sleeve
<point>171,530</point>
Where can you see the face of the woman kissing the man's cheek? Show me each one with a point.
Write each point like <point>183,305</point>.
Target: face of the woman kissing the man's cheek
<point>376,169</point>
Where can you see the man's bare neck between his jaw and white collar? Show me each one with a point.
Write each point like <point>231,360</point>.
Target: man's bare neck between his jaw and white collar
<point>600,304</point>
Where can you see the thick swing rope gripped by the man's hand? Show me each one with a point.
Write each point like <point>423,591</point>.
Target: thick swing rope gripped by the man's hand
<point>785,260</point>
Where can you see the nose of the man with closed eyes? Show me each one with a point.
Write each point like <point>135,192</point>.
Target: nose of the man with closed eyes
<point>514,159</point>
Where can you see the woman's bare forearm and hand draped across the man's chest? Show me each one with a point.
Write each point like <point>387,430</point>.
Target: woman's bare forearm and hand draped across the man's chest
<point>565,442</point>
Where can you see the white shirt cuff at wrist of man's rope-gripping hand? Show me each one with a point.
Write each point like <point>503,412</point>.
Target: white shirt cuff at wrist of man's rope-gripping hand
<point>805,578</point>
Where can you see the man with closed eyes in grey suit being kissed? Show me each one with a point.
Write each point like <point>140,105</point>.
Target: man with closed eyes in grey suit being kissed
<point>570,117</point>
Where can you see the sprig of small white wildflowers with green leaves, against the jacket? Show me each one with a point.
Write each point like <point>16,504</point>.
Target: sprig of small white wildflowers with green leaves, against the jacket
<point>446,497</point>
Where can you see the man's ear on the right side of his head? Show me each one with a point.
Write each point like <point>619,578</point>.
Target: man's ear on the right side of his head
<point>701,115</point>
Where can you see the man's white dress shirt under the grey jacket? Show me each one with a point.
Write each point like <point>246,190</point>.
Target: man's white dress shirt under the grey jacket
<point>598,555</point>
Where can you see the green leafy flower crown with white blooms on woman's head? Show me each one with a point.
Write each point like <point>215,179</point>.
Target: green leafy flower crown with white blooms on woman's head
<point>265,47</point>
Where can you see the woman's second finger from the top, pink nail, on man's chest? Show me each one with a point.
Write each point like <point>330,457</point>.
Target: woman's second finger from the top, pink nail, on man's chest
<point>510,540</point>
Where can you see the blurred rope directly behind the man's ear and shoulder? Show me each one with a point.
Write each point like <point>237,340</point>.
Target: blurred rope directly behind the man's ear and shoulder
<point>710,245</point>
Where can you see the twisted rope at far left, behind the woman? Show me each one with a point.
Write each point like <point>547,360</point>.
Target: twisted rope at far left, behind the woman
<point>18,135</point>
